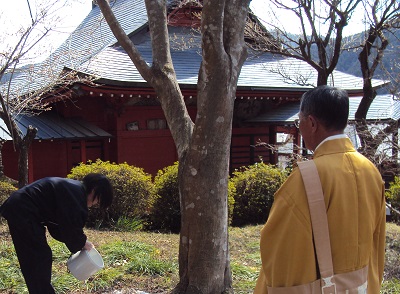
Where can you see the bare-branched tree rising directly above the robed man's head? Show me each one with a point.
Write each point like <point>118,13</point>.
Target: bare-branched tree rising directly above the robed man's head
<point>321,24</point>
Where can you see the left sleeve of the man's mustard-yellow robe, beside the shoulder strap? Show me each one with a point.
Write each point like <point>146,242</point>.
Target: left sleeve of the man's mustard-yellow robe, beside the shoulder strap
<point>286,243</point>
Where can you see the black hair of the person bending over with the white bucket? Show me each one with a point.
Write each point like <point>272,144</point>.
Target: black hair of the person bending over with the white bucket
<point>103,190</point>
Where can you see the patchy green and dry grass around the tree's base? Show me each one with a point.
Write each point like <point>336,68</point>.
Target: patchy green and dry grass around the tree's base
<point>149,262</point>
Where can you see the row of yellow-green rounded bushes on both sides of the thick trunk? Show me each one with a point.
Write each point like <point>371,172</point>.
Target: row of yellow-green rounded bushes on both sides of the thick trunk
<point>154,205</point>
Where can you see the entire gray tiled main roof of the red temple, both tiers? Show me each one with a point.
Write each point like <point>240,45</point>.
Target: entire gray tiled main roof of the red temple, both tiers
<point>90,49</point>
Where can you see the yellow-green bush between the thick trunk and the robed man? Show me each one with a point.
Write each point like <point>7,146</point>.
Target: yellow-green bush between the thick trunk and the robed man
<point>255,187</point>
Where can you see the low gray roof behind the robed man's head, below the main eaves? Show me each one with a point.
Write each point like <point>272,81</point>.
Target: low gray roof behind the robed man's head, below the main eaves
<point>384,107</point>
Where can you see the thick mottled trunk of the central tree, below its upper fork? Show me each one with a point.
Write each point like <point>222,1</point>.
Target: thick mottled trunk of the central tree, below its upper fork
<point>204,252</point>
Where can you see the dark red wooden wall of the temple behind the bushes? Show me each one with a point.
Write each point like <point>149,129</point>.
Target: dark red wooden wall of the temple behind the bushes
<point>140,138</point>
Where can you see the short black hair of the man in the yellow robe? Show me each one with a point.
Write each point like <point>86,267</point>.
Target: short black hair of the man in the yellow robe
<point>328,104</point>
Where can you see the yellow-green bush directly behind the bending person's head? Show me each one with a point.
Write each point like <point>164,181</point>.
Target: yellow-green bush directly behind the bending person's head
<point>133,191</point>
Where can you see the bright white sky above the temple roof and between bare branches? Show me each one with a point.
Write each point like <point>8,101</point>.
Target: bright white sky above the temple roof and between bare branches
<point>15,13</point>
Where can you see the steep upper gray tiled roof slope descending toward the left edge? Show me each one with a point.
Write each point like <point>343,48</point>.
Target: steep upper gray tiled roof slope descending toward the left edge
<point>88,39</point>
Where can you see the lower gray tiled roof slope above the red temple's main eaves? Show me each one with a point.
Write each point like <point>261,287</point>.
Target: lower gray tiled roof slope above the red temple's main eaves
<point>260,71</point>
